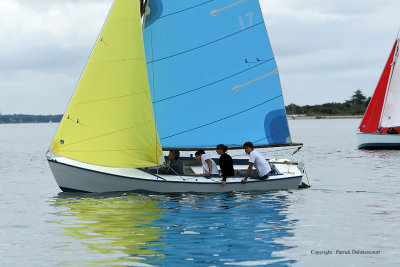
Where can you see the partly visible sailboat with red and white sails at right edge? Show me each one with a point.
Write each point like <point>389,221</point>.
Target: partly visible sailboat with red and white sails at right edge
<point>380,126</point>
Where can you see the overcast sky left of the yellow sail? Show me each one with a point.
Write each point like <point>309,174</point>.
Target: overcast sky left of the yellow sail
<point>45,45</point>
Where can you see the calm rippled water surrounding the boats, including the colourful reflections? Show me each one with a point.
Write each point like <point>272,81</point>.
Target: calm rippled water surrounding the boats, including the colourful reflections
<point>354,204</point>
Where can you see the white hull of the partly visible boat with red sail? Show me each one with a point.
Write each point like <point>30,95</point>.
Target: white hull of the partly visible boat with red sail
<point>378,141</point>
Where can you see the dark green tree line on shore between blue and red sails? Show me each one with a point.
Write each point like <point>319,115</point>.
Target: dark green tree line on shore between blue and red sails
<point>356,105</point>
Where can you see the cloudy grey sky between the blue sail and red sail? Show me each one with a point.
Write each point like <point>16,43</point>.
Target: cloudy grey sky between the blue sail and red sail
<point>326,50</point>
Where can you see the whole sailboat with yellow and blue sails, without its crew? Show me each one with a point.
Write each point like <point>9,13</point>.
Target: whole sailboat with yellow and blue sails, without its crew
<point>182,75</point>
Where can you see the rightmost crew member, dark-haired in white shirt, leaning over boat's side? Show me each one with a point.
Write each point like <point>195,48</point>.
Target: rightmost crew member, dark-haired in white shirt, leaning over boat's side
<point>257,160</point>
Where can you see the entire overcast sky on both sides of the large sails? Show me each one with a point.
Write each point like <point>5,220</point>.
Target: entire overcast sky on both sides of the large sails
<point>325,50</point>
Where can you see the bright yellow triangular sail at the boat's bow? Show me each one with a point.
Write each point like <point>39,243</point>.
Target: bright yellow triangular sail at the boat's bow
<point>109,120</point>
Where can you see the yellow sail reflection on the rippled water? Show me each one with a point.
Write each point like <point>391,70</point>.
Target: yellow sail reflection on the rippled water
<point>115,228</point>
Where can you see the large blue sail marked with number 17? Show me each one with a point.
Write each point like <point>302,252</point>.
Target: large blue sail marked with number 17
<point>213,75</point>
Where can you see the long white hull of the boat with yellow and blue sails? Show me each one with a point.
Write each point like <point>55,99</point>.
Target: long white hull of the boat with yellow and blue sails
<point>76,176</point>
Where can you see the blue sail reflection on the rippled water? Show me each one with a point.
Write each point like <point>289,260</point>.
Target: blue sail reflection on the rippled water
<point>224,229</point>
